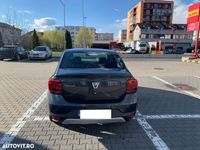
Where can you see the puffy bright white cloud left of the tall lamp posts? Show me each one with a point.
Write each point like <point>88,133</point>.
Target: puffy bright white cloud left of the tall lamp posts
<point>44,22</point>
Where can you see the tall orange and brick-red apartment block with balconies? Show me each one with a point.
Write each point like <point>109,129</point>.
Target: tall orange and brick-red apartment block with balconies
<point>154,12</point>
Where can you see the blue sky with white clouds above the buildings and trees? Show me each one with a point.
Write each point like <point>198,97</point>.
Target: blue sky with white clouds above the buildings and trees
<point>104,15</point>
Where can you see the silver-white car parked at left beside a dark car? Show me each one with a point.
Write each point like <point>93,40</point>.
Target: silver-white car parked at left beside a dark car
<point>40,52</point>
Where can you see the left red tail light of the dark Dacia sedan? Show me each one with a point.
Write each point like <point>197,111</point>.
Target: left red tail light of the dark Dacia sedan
<point>55,86</point>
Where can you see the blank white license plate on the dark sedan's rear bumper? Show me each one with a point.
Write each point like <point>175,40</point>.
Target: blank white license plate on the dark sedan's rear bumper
<point>95,114</point>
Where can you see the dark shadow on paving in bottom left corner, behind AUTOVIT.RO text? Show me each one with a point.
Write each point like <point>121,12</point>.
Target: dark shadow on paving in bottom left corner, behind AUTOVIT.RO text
<point>18,140</point>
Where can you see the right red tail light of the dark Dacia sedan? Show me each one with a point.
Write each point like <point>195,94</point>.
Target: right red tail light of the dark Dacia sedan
<point>131,86</point>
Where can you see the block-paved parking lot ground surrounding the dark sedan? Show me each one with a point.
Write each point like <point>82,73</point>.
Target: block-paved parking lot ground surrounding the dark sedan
<point>168,114</point>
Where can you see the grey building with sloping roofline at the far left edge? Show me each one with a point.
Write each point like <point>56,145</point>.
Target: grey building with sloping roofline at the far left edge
<point>10,34</point>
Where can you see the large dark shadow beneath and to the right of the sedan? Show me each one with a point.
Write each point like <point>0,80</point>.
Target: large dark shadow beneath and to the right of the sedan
<point>130,135</point>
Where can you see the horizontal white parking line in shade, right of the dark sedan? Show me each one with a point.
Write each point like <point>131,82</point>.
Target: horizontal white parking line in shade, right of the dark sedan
<point>195,116</point>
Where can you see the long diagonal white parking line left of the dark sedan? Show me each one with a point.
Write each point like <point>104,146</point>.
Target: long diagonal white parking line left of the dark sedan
<point>12,133</point>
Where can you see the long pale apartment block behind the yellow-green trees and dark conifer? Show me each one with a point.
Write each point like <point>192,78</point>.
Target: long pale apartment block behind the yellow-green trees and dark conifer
<point>74,31</point>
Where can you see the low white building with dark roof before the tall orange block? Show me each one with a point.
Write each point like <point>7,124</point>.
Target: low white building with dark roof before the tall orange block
<point>175,36</point>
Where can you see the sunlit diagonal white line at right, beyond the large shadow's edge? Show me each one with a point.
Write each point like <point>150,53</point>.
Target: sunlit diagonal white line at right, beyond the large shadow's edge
<point>180,90</point>
